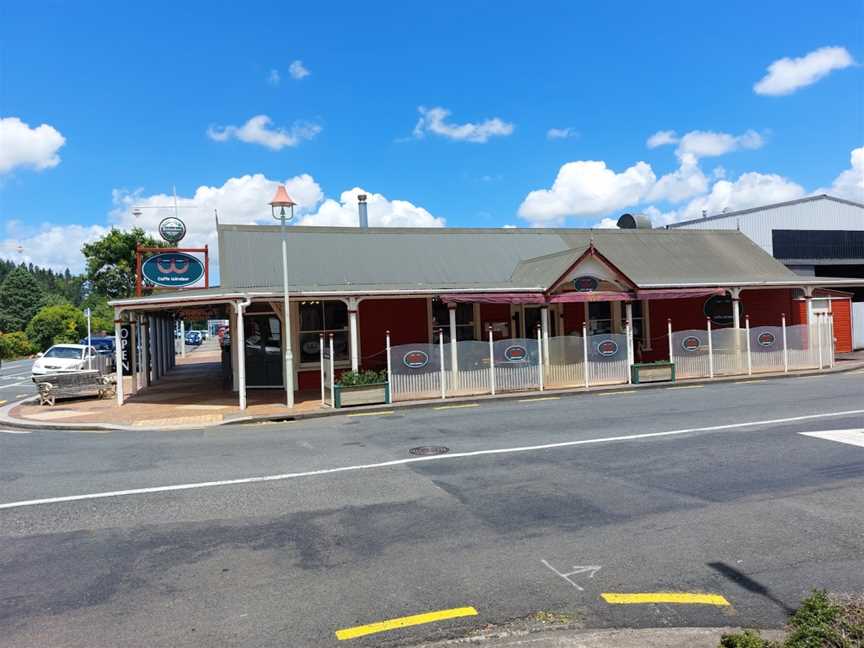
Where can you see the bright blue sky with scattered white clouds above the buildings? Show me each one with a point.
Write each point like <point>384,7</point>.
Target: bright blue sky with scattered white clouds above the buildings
<point>151,95</point>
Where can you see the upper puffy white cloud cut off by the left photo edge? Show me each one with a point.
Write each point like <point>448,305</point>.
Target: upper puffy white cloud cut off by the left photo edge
<point>22,146</point>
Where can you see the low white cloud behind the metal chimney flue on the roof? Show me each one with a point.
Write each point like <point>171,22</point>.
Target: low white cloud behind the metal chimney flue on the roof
<point>382,212</point>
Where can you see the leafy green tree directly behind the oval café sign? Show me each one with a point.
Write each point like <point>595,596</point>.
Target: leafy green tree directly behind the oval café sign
<point>111,261</point>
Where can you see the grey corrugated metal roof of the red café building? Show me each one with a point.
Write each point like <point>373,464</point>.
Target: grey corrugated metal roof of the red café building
<point>324,258</point>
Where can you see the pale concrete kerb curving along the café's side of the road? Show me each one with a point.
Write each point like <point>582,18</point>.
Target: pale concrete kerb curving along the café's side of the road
<point>15,423</point>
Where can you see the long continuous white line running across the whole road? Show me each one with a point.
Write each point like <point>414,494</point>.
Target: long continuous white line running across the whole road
<point>401,462</point>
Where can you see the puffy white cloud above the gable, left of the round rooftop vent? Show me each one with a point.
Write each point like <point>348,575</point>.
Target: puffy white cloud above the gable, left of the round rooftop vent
<point>587,188</point>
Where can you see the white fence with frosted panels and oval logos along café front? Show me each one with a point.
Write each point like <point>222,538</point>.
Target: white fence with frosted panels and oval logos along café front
<point>423,370</point>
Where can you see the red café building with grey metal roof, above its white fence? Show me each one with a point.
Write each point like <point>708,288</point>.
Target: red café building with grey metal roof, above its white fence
<point>428,285</point>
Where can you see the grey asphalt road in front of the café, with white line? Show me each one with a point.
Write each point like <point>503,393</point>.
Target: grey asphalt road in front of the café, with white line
<point>711,490</point>
